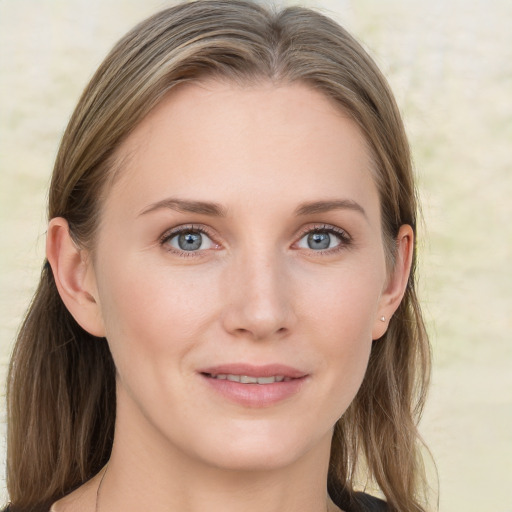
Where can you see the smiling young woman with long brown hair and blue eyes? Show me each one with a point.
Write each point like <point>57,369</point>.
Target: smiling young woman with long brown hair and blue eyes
<point>227,316</point>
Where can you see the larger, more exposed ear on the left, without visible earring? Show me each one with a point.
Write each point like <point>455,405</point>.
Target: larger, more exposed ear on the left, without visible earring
<point>74,277</point>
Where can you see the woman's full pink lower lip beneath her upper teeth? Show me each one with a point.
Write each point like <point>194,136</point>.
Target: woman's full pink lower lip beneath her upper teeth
<point>255,395</point>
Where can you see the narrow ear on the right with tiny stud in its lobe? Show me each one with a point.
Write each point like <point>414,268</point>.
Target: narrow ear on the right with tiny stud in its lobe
<point>397,282</point>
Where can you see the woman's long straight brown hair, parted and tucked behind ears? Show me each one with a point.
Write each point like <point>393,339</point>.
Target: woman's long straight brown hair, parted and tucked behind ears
<point>61,388</point>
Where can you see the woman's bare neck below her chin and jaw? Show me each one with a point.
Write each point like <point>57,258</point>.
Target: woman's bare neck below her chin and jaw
<point>154,475</point>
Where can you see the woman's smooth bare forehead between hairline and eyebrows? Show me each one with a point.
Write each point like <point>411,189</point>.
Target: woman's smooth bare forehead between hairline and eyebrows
<point>214,137</point>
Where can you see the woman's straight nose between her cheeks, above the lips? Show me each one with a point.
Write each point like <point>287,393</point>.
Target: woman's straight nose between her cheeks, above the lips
<point>258,302</point>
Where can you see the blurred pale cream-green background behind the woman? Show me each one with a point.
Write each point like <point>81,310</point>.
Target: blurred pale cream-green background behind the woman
<point>450,65</point>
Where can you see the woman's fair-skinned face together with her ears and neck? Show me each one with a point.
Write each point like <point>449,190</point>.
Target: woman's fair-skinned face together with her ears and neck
<point>244,232</point>
